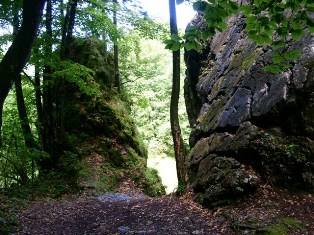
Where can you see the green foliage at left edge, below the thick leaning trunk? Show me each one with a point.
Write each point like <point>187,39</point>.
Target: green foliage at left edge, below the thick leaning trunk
<point>17,163</point>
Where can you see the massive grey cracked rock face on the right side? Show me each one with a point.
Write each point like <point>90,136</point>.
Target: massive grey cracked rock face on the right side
<point>249,126</point>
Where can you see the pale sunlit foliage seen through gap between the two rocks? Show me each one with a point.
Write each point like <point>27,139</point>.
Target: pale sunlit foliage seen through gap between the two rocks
<point>150,93</point>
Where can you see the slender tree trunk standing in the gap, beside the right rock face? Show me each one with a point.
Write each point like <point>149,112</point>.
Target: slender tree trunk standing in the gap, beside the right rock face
<point>179,148</point>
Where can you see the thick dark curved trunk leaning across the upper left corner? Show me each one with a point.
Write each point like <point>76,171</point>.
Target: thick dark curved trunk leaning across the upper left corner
<point>18,54</point>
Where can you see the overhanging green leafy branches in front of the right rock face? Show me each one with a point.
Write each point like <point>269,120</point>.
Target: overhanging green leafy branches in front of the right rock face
<point>267,23</point>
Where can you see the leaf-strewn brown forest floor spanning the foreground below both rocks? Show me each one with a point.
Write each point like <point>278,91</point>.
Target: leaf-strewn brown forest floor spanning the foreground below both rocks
<point>268,211</point>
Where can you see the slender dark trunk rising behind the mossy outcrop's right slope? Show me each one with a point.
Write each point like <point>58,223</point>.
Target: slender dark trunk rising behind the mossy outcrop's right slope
<point>116,49</point>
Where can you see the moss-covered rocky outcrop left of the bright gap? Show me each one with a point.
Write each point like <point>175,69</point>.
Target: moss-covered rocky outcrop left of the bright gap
<point>98,124</point>
